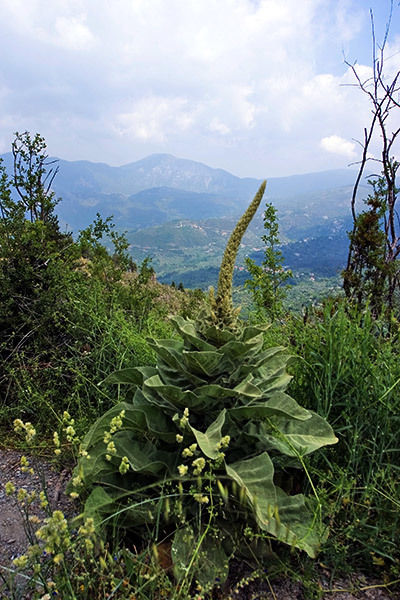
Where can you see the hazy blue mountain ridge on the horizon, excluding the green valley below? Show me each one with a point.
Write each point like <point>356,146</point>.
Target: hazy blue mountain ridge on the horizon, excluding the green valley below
<point>161,187</point>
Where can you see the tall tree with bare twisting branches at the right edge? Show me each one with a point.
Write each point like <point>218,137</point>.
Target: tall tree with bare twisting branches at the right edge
<point>373,268</point>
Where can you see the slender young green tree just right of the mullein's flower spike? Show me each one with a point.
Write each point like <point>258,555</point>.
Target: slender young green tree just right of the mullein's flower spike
<point>267,285</point>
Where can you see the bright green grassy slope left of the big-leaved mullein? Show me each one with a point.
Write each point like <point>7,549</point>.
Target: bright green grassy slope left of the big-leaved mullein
<point>100,328</point>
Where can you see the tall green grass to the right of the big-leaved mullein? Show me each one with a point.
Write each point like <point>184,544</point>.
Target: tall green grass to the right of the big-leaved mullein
<point>349,372</point>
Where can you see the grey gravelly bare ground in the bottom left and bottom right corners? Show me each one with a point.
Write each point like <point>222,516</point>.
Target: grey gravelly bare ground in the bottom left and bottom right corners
<point>13,539</point>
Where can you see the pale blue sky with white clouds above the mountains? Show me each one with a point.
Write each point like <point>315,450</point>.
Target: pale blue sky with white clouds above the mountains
<point>256,87</point>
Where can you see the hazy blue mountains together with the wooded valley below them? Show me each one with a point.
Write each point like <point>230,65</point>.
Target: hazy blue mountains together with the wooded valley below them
<point>181,212</point>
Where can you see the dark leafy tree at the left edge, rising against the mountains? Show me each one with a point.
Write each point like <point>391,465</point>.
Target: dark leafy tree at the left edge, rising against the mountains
<point>30,240</point>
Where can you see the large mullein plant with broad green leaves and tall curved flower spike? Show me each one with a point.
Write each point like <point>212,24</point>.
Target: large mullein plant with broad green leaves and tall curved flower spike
<point>205,445</point>
